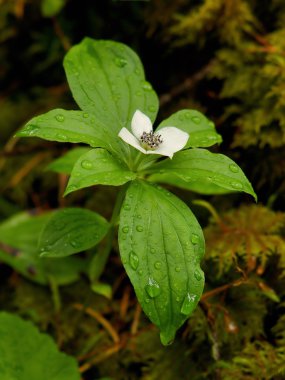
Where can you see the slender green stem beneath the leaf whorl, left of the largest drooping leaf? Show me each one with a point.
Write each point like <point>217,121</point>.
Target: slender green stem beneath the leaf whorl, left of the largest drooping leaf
<point>98,263</point>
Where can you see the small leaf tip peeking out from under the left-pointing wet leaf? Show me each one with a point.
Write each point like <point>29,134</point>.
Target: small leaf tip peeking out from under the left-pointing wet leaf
<point>65,163</point>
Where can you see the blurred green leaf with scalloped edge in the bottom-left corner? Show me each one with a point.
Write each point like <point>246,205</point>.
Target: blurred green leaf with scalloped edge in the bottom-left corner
<point>27,354</point>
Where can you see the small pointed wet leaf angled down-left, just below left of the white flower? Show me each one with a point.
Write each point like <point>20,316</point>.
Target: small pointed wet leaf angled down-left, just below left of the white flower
<point>98,167</point>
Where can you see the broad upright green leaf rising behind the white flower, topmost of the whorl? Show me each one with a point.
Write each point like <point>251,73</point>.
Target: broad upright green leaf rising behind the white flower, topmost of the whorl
<point>107,79</point>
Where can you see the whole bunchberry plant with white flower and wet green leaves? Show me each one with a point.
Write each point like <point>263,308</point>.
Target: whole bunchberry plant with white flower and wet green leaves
<point>160,241</point>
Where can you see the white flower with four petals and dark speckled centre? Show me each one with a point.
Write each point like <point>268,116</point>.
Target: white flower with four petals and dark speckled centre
<point>166,141</point>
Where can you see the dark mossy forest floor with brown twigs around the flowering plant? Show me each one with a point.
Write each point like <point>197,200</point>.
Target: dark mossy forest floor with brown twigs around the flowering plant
<point>225,58</point>
